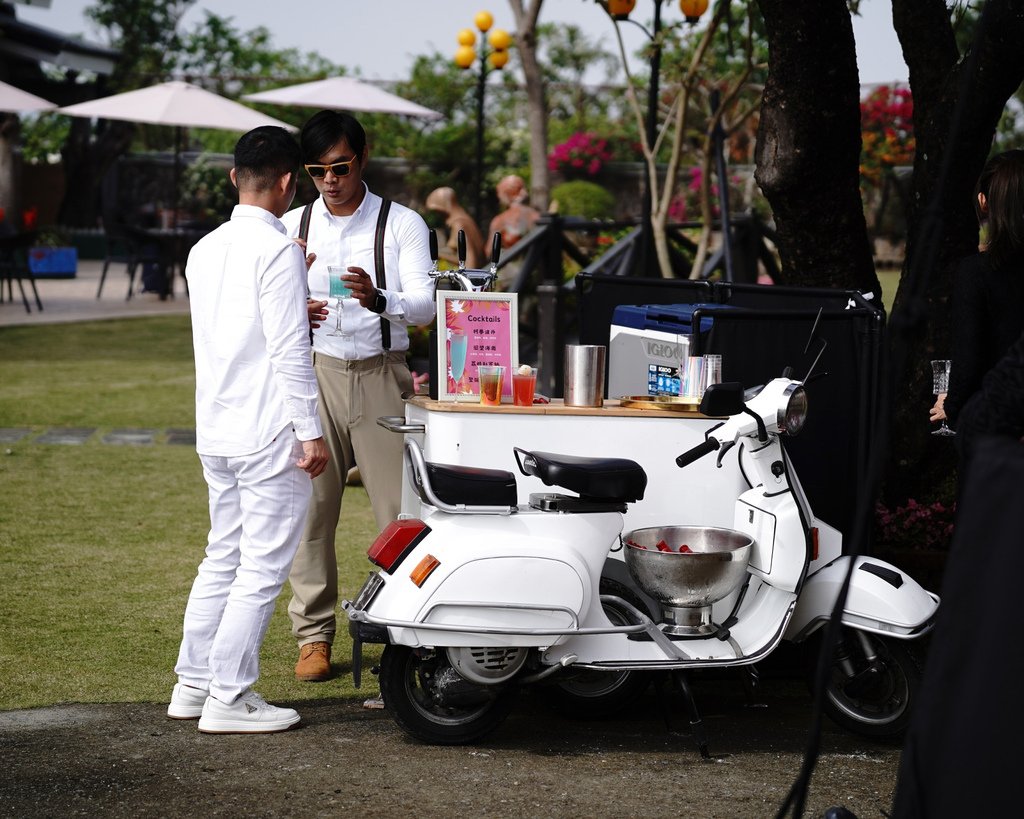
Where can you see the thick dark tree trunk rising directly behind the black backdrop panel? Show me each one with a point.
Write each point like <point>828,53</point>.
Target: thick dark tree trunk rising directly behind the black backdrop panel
<point>808,152</point>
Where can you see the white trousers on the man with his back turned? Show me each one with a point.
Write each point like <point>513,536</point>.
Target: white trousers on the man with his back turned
<point>259,507</point>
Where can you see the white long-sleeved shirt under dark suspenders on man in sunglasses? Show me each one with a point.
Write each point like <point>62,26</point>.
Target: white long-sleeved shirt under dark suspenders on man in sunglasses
<point>350,242</point>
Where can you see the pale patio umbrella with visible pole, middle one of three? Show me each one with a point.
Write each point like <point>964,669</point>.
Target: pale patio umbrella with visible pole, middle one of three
<point>178,104</point>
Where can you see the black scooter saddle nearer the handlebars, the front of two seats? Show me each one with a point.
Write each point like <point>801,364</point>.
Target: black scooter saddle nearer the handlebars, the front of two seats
<point>612,480</point>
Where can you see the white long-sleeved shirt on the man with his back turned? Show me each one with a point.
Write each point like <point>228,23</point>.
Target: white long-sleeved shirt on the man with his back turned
<point>254,373</point>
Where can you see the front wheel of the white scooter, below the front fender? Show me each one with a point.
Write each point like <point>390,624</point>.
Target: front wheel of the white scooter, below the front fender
<point>872,686</point>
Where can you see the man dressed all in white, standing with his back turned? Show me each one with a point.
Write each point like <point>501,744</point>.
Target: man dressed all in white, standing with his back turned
<point>258,435</point>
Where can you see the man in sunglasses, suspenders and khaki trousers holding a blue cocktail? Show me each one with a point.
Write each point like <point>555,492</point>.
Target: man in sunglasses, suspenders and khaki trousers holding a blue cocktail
<point>360,360</point>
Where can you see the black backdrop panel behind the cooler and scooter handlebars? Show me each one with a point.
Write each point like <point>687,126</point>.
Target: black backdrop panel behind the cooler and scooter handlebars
<point>760,330</point>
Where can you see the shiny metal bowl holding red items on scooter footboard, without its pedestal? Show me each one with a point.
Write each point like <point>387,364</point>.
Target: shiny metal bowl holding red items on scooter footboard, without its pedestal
<point>715,569</point>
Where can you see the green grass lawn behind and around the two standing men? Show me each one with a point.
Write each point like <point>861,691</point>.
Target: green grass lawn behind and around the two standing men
<point>100,543</point>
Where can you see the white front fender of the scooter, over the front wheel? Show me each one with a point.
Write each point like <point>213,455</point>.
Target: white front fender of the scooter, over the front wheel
<point>882,599</point>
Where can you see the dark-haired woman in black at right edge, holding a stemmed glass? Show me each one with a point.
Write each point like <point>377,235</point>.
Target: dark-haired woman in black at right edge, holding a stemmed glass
<point>989,287</point>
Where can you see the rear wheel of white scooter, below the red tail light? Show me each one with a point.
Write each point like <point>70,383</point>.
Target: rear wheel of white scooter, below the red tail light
<point>433,703</point>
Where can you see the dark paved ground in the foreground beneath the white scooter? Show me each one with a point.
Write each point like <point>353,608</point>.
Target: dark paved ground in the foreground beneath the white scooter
<point>130,761</point>
